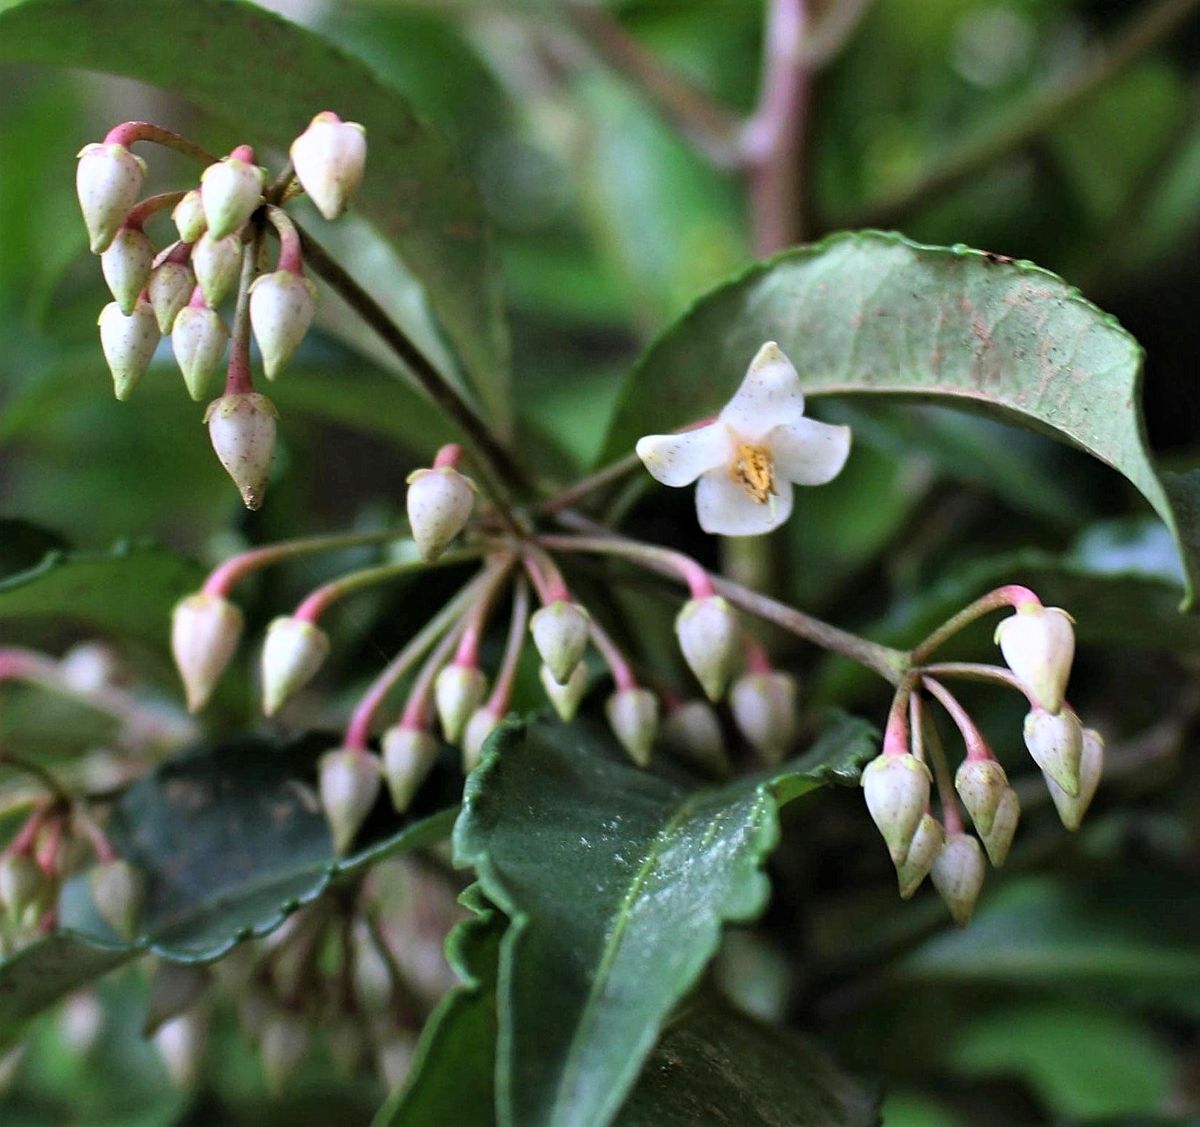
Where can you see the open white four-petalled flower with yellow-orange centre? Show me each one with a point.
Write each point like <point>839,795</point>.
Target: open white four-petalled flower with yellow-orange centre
<point>748,459</point>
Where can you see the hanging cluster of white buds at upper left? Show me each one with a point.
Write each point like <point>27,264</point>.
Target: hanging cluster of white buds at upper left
<point>178,292</point>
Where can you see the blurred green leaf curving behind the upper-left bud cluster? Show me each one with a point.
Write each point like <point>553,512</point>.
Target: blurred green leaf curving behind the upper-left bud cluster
<point>267,77</point>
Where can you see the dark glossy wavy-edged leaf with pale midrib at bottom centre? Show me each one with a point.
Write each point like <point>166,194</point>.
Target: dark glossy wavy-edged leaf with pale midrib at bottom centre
<point>617,883</point>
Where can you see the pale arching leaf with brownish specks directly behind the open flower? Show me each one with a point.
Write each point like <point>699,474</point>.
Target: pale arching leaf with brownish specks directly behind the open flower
<point>874,314</point>
